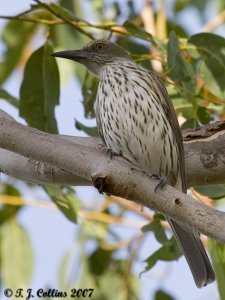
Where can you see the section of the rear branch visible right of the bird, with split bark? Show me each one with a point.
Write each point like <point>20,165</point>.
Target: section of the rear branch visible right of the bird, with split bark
<point>205,154</point>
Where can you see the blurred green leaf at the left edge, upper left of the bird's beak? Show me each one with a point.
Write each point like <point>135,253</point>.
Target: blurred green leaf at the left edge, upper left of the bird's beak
<point>15,36</point>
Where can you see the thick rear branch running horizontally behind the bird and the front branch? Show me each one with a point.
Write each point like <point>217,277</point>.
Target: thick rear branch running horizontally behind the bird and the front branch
<point>204,157</point>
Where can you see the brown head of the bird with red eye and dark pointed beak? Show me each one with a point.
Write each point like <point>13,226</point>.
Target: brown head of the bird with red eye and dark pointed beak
<point>96,55</point>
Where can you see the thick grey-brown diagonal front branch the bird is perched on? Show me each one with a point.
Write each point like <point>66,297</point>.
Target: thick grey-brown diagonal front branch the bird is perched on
<point>117,176</point>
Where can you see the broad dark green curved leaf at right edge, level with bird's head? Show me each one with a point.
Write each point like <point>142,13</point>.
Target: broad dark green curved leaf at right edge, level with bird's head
<point>211,48</point>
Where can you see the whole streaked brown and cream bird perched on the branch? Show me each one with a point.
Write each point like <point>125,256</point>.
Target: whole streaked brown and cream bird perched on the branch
<point>136,119</point>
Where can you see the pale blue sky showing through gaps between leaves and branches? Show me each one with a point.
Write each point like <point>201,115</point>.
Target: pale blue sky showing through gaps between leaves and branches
<point>51,233</point>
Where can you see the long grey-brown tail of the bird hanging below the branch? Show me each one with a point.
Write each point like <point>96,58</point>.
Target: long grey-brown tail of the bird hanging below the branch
<point>195,254</point>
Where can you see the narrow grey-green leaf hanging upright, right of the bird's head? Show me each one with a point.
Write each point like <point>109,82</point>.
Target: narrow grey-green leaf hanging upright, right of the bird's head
<point>180,70</point>
